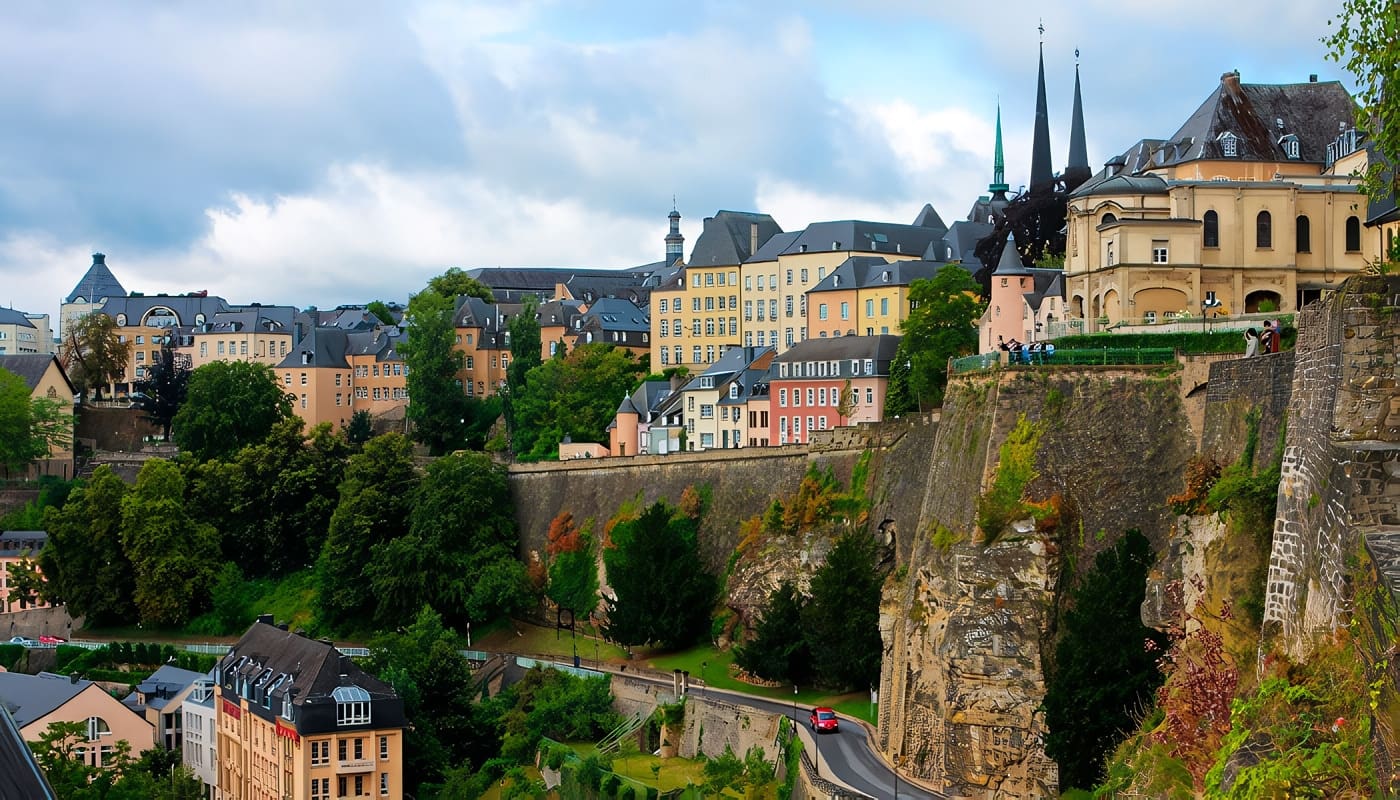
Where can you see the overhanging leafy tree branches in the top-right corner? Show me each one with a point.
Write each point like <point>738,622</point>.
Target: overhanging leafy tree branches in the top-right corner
<point>1367,43</point>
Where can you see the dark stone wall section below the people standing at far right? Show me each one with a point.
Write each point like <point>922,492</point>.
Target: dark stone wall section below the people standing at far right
<point>1240,387</point>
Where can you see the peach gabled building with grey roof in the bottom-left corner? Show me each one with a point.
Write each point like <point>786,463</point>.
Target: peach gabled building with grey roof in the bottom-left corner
<point>37,701</point>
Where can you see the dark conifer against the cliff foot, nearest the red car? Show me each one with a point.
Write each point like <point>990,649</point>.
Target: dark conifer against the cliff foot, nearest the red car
<point>845,609</point>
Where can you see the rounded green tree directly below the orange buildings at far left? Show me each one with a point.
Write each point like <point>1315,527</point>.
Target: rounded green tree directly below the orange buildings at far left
<point>230,406</point>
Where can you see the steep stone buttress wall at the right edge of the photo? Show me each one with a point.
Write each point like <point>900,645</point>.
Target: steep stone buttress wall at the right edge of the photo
<point>1342,462</point>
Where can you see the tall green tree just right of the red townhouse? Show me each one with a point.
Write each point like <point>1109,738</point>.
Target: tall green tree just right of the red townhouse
<point>941,326</point>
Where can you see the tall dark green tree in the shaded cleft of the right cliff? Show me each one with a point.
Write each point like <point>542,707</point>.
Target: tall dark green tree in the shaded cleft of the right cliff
<point>1104,672</point>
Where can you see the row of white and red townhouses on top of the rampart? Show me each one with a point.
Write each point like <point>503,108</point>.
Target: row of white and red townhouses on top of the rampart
<point>757,397</point>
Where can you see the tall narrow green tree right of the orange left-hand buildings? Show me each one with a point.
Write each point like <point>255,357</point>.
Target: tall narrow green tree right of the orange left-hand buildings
<point>437,406</point>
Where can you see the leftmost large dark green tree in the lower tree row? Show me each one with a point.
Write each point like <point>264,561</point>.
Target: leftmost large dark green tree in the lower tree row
<point>83,560</point>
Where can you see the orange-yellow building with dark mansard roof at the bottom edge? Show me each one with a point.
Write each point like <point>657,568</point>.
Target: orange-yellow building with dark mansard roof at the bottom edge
<point>299,721</point>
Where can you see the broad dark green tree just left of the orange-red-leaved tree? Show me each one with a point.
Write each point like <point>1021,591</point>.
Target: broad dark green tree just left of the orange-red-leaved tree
<point>460,529</point>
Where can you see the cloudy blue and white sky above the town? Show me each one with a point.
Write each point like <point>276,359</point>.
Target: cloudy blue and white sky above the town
<point>318,153</point>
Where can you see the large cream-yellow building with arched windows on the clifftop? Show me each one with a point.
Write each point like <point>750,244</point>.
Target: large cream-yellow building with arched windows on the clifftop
<point>1244,211</point>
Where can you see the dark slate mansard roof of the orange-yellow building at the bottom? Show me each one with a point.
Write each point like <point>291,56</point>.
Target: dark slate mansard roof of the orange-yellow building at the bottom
<point>274,663</point>
